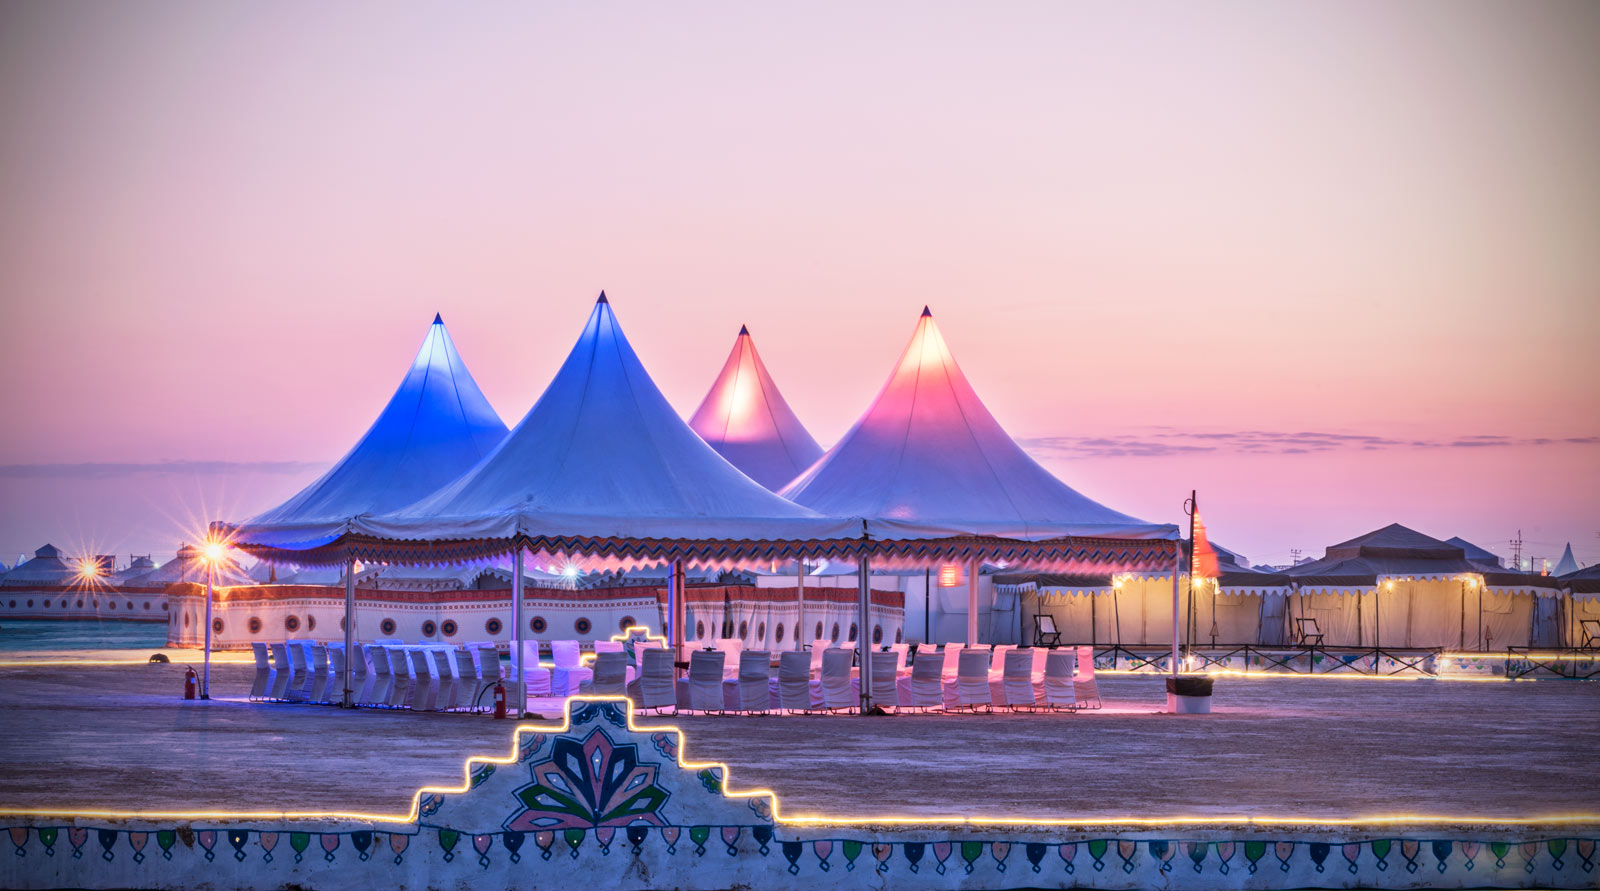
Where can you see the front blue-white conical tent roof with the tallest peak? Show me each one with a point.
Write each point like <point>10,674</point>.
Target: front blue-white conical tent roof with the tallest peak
<point>602,457</point>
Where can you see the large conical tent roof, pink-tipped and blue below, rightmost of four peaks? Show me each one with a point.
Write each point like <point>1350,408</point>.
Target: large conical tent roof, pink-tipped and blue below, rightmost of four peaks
<point>929,458</point>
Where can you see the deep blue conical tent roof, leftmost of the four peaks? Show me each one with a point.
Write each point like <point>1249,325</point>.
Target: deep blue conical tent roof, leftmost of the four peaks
<point>434,428</point>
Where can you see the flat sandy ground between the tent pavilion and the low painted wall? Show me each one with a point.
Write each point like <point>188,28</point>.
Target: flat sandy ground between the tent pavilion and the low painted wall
<point>119,737</point>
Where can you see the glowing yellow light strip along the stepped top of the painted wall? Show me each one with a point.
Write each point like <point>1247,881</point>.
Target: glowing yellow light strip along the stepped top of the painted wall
<point>412,815</point>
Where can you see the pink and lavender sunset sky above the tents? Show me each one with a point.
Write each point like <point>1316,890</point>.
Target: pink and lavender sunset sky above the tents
<point>1334,265</point>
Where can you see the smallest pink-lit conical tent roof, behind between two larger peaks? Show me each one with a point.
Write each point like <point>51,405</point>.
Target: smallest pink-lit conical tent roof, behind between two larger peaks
<point>750,423</point>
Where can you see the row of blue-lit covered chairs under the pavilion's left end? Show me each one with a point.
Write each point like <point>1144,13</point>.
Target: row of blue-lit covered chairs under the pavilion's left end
<point>426,677</point>
